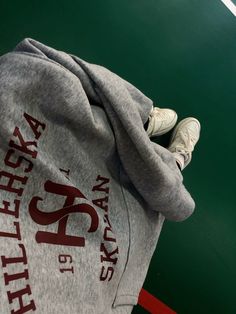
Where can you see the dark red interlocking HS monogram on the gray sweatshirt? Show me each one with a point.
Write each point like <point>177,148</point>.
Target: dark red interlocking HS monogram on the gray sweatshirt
<point>61,215</point>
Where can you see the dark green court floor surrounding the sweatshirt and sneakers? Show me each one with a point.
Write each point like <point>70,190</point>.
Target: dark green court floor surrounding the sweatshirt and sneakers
<point>181,54</point>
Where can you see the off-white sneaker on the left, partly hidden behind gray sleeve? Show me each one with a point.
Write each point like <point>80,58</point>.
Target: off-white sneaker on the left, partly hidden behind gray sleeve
<point>161,121</point>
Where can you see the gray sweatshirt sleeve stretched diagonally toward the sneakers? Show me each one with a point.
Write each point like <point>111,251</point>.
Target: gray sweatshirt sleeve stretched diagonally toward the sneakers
<point>151,168</point>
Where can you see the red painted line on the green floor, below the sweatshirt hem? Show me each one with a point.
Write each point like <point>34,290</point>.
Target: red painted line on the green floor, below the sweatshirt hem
<point>152,304</point>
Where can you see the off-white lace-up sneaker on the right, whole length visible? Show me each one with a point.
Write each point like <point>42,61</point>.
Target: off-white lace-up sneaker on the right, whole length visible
<point>184,138</point>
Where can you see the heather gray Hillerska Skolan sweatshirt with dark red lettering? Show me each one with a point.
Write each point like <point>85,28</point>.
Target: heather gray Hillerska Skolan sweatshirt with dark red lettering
<point>84,192</point>
